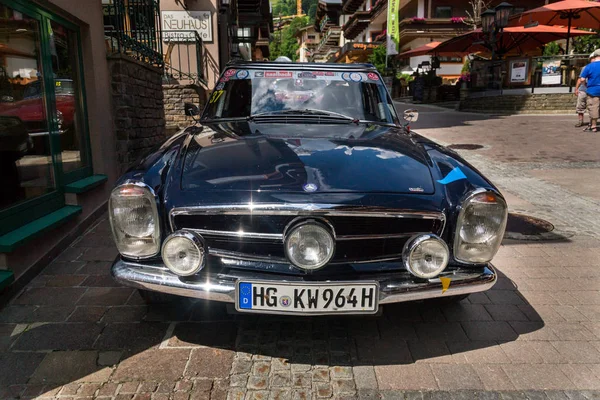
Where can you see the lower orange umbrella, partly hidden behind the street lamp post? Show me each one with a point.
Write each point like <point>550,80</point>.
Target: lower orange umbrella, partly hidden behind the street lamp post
<point>514,38</point>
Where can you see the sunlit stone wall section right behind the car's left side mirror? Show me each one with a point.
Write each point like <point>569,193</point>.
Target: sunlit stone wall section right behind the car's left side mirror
<point>175,96</point>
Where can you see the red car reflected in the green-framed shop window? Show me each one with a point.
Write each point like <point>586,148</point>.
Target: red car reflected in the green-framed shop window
<point>31,110</point>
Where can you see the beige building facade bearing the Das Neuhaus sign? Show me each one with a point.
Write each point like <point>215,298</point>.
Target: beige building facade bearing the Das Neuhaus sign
<point>201,36</point>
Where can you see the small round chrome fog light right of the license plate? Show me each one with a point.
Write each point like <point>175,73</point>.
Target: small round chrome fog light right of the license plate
<point>425,256</point>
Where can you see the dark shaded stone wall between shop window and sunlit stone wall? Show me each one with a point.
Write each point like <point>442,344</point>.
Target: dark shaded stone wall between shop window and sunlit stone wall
<point>137,103</point>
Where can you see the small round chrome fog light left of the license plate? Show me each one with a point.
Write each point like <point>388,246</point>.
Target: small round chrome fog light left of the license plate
<point>183,253</point>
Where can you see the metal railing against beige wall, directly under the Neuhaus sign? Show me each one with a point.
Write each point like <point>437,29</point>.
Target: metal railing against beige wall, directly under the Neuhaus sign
<point>183,57</point>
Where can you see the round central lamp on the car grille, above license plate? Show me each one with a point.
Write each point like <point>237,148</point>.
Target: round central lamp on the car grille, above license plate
<point>309,245</point>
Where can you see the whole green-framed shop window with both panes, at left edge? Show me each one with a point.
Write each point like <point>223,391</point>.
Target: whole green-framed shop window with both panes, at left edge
<point>43,135</point>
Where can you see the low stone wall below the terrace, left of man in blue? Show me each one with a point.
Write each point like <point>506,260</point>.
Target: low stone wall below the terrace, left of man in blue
<point>555,103</point>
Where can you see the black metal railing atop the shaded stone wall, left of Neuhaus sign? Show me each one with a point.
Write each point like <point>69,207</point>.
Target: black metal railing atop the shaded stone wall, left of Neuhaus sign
<point>132,27</point>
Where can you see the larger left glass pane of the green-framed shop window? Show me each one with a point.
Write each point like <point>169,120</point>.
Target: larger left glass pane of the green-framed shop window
<point>25,156</point>
